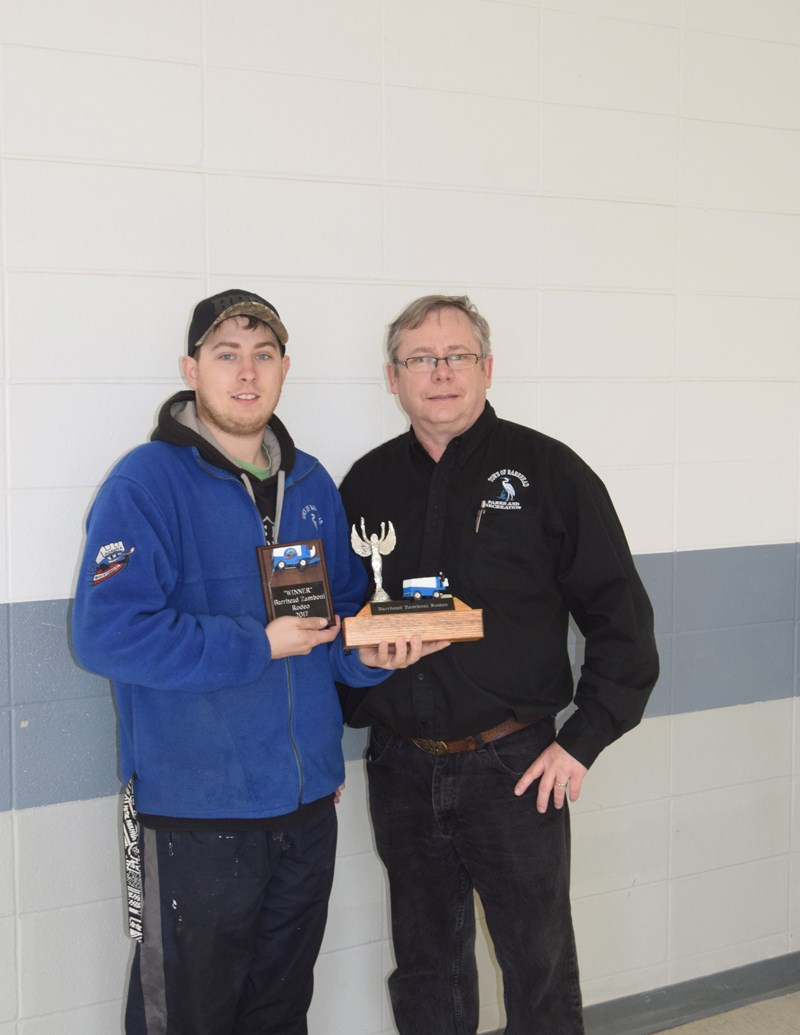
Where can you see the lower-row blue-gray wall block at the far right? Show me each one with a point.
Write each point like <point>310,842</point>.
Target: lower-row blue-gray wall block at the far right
<point>720,668</point>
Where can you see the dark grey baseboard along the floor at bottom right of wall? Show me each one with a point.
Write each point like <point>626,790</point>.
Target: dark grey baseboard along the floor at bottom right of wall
<point>679,1004</point>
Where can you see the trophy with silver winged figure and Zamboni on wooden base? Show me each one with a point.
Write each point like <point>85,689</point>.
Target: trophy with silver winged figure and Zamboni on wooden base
<point>428,609</point>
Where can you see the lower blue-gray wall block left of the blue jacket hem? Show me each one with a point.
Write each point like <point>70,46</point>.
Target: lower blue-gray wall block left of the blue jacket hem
<point>65,751</point>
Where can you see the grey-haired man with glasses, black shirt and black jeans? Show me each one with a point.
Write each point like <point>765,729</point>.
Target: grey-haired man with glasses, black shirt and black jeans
<point>468,780</point>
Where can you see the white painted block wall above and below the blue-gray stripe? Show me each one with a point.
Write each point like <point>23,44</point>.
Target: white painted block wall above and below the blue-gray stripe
<point>615,183</point>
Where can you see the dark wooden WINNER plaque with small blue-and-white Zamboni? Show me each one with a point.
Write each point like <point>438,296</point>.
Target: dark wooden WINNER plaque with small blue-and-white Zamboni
<point>295,580</point>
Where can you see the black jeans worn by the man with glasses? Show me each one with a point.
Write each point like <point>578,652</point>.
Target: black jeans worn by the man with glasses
<point>446,825</point>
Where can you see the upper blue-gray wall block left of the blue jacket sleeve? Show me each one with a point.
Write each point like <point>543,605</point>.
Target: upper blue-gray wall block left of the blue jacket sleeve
<point>43,668</point>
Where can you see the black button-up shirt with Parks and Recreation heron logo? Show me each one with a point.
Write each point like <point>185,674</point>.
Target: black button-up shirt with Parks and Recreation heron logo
<point>524,529</point>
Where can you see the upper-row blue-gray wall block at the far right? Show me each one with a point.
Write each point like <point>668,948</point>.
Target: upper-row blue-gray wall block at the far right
<point>720,588</point>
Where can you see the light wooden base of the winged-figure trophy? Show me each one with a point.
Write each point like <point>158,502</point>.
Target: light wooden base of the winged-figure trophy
<point>410,618</point>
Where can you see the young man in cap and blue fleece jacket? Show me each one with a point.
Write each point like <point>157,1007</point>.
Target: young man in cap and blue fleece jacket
<point>230,729</point>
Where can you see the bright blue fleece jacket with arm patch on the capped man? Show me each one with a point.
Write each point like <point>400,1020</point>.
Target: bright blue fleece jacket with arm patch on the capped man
<point>169,606</point>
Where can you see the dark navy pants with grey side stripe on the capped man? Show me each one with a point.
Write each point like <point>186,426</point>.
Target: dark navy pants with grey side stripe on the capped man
<point>233,924</point>
